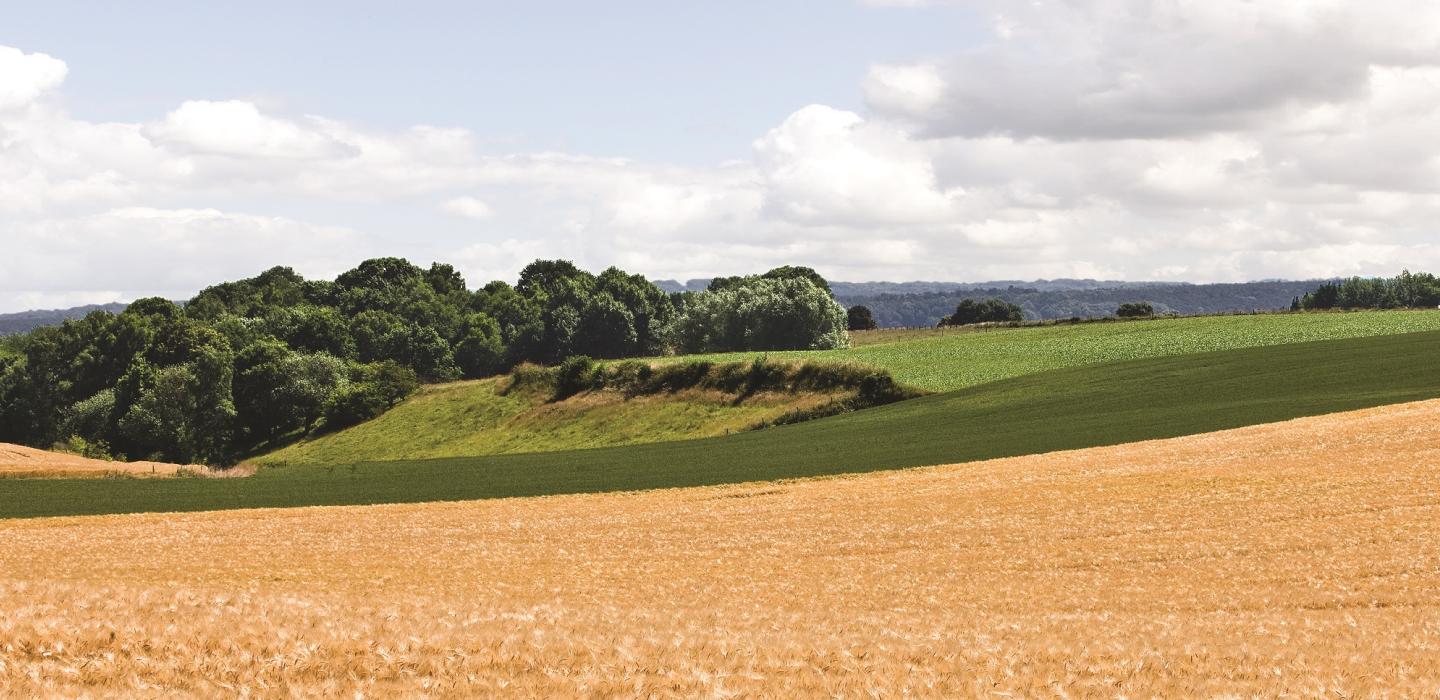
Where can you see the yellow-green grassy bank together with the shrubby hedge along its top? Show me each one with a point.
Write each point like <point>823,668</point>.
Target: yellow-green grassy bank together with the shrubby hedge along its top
<point>621,407</point>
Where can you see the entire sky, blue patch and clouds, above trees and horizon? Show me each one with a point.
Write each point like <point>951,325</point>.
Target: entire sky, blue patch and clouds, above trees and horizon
<point>159,148</point>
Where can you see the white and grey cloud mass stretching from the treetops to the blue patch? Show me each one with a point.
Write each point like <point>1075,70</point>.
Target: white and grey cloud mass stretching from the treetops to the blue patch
<point>1114,139</point>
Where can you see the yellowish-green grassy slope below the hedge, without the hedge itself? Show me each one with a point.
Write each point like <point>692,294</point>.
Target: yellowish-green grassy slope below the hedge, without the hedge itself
<point>476,418</point>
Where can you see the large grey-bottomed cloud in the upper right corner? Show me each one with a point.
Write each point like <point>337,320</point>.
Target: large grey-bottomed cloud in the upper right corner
<point>1160,68</point>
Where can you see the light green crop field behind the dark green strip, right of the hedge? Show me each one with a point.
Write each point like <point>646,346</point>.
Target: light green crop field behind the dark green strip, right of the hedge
<point>948,359</point>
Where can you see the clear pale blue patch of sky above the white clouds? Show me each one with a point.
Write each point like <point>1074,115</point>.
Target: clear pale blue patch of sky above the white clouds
<point>680,81</point>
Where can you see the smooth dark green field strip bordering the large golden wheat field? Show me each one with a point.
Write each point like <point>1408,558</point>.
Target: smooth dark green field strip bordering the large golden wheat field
<point>1074,408</point>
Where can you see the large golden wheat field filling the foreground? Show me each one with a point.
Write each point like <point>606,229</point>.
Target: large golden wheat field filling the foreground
<point>1290,560</point>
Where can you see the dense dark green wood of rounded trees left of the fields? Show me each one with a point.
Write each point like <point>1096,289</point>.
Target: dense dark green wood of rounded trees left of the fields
<point>253,362</point>
